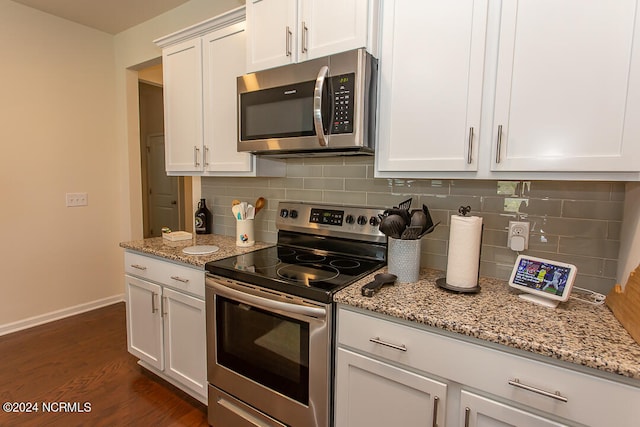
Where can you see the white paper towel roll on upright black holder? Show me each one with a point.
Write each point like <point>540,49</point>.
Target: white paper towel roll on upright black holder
<point>463,260</point>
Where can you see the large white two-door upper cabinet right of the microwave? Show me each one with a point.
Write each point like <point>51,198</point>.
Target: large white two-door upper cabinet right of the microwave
<point>518,89</point>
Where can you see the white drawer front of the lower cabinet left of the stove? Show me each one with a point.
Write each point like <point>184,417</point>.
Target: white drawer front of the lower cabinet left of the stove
<point>180,277</point>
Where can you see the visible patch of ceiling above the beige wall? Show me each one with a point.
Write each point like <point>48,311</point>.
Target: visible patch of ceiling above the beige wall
<point>110,16</point>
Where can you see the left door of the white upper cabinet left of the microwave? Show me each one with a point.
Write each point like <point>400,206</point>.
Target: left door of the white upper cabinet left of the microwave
<point>182,76</point>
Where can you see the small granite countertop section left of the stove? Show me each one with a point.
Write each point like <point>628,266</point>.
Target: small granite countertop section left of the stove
<point>163,248</point>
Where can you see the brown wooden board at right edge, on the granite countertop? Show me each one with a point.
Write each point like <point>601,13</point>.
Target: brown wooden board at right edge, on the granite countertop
<point>626,305</point>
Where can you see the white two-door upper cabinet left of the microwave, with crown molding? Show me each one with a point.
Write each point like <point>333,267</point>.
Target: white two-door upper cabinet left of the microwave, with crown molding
<point>200,67</point>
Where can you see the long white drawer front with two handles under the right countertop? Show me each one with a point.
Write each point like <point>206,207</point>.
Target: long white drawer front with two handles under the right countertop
<point>590,400</point>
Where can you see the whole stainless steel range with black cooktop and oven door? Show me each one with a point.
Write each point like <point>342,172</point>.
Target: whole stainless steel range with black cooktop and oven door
<point>270,316</point>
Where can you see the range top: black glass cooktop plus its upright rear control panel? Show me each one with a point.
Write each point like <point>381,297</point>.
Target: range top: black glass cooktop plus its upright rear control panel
<point>321,249</point>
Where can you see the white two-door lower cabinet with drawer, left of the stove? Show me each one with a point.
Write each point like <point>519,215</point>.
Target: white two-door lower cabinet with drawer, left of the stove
<point>166,321</point>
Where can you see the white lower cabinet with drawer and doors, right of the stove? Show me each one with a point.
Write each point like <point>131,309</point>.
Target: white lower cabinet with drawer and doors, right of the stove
<point>390,372</point>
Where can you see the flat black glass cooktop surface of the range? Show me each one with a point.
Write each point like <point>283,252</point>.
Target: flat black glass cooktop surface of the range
<point>315,275</point>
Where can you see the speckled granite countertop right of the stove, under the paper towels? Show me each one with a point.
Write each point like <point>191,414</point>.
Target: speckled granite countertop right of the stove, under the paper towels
<point>575,332</point>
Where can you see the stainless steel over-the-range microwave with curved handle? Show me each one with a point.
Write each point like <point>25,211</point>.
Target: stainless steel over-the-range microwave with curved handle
<point>326,106</point>
